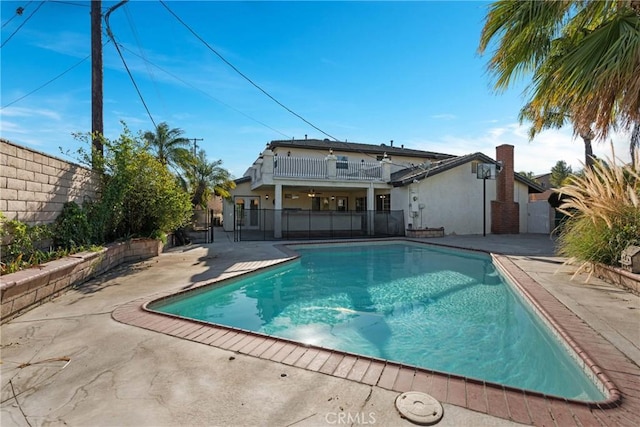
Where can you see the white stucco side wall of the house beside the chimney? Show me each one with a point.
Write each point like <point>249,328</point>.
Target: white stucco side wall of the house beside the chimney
<point>453,200</point>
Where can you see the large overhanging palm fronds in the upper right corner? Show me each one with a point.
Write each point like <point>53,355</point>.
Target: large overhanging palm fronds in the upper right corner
<point>582,57</point>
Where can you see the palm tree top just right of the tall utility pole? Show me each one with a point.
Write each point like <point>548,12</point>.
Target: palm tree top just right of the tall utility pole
<point>169,146</point>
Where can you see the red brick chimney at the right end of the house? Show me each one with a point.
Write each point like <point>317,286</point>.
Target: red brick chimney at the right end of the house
<point>505,213</point>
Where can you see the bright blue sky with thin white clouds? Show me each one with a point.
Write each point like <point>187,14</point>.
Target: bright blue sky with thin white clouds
<point>365,72</point>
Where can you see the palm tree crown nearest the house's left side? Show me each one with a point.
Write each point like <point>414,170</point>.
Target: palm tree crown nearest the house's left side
<point>208,178</point>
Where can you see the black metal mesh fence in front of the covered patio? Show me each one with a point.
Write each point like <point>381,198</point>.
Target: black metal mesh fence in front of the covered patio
<point>269,224</point>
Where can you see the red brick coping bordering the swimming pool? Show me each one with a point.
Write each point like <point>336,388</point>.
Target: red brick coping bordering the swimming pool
<point>619,375</point>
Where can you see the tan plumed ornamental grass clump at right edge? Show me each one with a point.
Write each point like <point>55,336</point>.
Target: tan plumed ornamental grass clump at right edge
<point>603,206</point>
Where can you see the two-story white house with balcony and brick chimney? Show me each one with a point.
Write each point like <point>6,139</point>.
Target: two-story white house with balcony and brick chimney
<point>322,188</point>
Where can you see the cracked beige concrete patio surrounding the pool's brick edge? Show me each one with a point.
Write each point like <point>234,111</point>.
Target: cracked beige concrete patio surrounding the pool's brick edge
<point>68,362</point>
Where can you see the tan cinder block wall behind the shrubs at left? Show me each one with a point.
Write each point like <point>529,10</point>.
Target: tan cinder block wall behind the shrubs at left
<point>34,186</point>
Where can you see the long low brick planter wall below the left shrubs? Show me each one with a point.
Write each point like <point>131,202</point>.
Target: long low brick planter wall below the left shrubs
<point>22,290</point>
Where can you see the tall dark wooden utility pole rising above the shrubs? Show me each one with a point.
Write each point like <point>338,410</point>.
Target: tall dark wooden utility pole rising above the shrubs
<point>97,125</point>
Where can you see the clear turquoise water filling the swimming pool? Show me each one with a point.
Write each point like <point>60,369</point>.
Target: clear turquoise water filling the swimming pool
<point>433,308</point>
